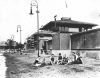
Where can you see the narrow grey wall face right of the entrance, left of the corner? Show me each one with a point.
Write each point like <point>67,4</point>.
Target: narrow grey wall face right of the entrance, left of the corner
<point>56,42</point>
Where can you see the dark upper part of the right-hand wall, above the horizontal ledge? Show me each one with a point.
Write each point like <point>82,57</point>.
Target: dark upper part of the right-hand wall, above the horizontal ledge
<point>89,40</point>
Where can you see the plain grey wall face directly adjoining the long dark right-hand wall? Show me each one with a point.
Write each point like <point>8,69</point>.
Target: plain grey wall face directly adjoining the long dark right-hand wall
<point>64,41</point>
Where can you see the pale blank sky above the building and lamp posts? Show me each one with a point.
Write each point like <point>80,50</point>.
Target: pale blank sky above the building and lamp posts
<point>16,12</point>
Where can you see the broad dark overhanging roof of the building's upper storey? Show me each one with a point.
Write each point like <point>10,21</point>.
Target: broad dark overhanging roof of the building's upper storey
<point>68,23</point>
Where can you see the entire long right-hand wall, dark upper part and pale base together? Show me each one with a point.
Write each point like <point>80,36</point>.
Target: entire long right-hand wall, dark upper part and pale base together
<point>87,44</point>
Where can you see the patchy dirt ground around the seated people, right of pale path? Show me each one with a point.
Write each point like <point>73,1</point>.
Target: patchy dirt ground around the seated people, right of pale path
<point>21,66</point>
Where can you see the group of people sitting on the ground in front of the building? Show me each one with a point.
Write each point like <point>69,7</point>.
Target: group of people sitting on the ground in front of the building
<point>61,60</point>
